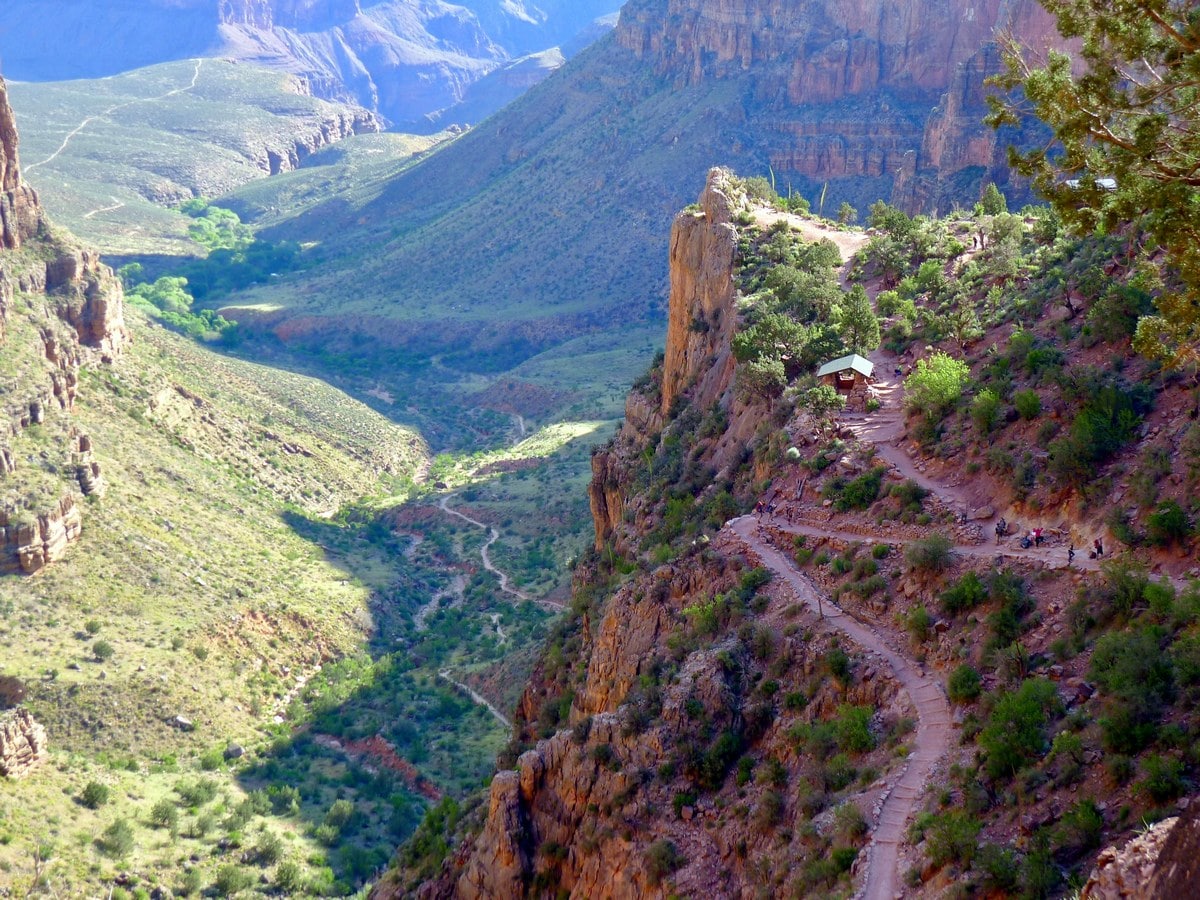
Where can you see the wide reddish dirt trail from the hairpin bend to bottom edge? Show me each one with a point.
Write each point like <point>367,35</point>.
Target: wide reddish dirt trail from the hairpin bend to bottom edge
<point>934,728</point>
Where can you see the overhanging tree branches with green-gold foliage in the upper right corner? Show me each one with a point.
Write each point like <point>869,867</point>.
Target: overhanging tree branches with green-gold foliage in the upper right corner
<point>1127,117</point>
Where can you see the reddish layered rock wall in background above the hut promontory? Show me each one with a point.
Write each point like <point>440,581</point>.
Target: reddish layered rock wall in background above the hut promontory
<point>844,88</point>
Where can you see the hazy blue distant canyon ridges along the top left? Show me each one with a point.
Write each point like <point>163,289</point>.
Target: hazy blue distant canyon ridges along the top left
<point>404,59</point>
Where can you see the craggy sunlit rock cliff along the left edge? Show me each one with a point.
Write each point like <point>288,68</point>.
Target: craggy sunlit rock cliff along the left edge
<point>71,311</point>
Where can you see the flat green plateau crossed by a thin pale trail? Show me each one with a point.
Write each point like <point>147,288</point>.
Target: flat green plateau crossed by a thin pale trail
<point>153,137</point>
